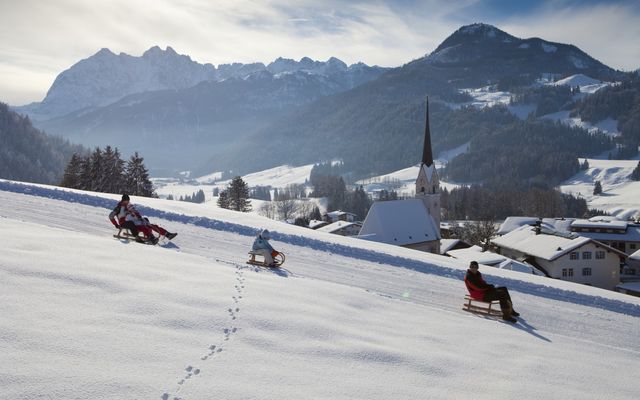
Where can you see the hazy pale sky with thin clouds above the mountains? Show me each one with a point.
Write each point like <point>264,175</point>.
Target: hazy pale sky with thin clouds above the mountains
<point>41,38</point>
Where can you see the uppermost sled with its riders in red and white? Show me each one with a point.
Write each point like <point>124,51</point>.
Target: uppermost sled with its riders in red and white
<point>125,216</point>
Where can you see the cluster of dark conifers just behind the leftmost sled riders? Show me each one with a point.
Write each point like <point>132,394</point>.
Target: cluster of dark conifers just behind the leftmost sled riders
<point>105,171</point>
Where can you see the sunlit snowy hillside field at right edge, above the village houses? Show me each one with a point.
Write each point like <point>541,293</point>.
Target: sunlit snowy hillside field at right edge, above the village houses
<point>620,197</point>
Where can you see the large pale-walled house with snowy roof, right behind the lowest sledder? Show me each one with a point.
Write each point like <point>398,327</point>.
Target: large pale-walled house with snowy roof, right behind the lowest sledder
<point>563,256</point>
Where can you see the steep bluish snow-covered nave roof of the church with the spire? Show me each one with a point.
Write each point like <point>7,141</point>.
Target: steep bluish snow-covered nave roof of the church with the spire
<point>399,222</point>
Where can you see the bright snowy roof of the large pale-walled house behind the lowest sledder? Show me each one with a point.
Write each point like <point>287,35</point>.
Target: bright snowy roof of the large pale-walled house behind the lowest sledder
<point>548,247</point>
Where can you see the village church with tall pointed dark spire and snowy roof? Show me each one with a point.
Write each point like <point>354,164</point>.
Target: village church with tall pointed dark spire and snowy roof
<point>412,223</point>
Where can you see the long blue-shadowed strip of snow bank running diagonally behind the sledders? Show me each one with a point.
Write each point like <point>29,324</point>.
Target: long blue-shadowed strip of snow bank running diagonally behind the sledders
<point>343,250</point>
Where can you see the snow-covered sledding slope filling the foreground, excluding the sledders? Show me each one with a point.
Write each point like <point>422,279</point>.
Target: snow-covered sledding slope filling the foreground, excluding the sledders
<point>85,316</point>
